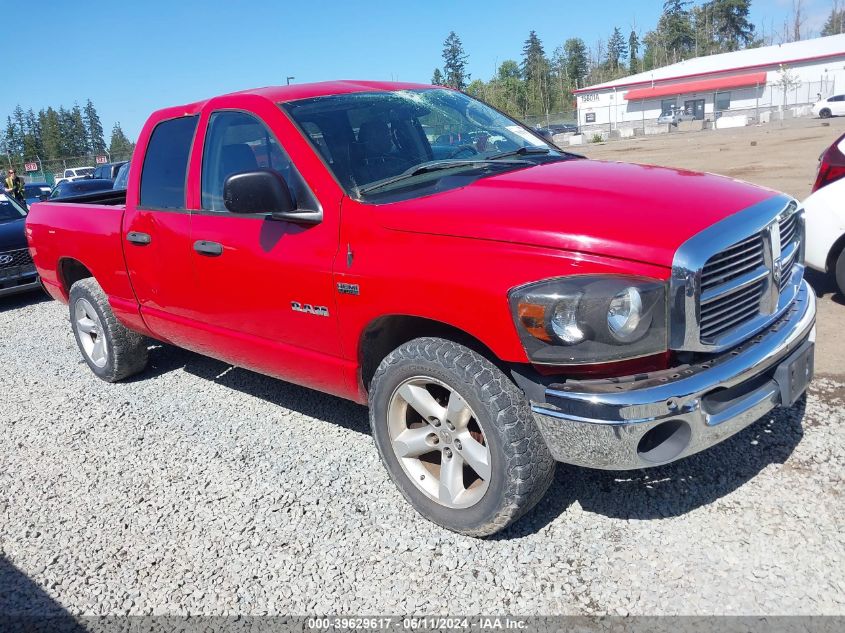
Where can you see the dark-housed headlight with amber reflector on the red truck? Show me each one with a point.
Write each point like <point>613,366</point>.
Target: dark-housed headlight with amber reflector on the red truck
<point>590,318</point>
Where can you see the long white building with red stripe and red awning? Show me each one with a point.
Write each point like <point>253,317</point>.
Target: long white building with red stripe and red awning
<point>747,82</point>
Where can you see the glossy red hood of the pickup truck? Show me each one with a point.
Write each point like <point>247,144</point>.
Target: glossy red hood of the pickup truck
<point>637,212</point>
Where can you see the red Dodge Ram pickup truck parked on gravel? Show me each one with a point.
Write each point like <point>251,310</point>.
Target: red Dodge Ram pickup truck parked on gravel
<point>498,303</point>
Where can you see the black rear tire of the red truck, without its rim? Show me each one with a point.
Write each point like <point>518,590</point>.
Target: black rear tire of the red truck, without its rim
<point>125,350</point>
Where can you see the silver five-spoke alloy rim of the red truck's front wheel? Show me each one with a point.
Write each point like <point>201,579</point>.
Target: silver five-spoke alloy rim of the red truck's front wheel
<point>438,441</point>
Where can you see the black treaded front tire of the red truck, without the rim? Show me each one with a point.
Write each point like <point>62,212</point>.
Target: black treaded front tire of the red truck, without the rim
<point>521,467</point>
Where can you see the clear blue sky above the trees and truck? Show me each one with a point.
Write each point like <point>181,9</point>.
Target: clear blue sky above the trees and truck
<point>133,57</point>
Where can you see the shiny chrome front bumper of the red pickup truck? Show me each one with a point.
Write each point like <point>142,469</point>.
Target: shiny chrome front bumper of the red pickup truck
<point>659,417</point>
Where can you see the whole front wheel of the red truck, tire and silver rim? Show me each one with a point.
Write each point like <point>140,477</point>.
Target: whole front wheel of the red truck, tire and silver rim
<point>457,437</point>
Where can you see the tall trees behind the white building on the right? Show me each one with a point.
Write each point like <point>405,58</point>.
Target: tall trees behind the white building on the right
<point>539,84</point>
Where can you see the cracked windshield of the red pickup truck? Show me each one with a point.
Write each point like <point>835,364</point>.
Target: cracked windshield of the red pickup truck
<point>376,137</point>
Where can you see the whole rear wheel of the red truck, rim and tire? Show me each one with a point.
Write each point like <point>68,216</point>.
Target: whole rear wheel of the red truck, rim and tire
<point>111,350</point>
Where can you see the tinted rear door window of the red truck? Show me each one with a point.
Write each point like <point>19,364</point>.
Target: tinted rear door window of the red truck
<point>166,164</point>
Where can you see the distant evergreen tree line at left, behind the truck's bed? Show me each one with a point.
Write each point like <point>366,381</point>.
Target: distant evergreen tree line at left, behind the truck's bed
<point>59,133</point>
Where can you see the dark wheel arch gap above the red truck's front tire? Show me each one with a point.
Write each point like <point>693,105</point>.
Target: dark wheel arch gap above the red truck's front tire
<point>385,333</point>
